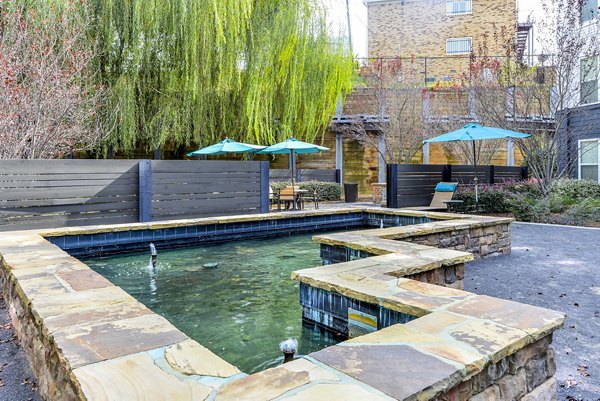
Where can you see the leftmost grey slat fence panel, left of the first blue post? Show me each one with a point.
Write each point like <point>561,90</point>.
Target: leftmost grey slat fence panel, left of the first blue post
<point>56,193</point>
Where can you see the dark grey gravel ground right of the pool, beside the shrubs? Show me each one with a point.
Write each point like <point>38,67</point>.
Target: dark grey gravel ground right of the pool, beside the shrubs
<point>555,267</point>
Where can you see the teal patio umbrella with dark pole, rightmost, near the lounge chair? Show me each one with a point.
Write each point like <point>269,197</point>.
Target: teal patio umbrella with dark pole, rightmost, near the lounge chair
<point>476,132</point>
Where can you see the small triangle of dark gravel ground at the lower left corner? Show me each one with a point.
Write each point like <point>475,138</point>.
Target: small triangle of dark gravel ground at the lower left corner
<point>16,379</point>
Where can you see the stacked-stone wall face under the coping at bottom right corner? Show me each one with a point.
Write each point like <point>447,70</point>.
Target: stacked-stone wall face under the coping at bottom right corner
<point>526,375</point>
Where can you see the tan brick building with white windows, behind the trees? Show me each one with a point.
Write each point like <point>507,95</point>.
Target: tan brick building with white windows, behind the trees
<point>443,32</point>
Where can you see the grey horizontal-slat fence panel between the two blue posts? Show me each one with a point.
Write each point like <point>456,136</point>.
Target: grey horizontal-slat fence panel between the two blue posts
<point>188,189</point>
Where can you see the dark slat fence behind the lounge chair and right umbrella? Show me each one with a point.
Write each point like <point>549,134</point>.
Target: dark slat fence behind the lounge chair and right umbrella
<point>413,184</point>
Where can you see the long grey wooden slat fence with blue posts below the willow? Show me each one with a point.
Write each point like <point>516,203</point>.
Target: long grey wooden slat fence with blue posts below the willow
<point>57,193</point>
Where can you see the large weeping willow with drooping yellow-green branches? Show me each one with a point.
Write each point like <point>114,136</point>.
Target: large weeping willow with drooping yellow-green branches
<point>182,71</point>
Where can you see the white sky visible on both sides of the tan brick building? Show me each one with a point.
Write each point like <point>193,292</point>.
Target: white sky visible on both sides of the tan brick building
<point>358,19</point>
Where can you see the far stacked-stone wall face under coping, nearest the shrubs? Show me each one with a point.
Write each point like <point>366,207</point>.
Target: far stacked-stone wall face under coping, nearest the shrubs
<point>481,241</point>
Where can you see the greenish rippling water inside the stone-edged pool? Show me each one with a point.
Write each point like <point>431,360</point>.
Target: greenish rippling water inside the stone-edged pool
<point>241,309</point>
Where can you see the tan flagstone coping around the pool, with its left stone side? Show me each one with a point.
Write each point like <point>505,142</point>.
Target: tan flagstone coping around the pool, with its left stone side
<point>96,342</point>
